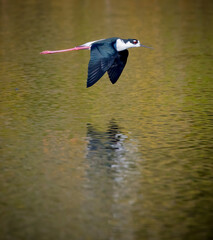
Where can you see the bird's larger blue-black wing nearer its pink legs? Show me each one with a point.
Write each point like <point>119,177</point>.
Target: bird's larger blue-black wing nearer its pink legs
<point>102,56</point>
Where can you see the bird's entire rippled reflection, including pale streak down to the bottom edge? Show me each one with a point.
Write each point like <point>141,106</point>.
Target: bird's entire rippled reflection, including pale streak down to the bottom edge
<point>111,181</point>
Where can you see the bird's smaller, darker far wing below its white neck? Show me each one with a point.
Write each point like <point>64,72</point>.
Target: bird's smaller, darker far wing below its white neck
<point>118,65</point>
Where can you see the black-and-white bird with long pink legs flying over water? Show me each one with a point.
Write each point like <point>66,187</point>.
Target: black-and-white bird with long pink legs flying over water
<point>106,55</point>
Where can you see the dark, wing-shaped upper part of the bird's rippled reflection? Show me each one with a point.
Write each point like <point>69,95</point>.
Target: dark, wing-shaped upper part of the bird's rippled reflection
<point>106,148</point>
